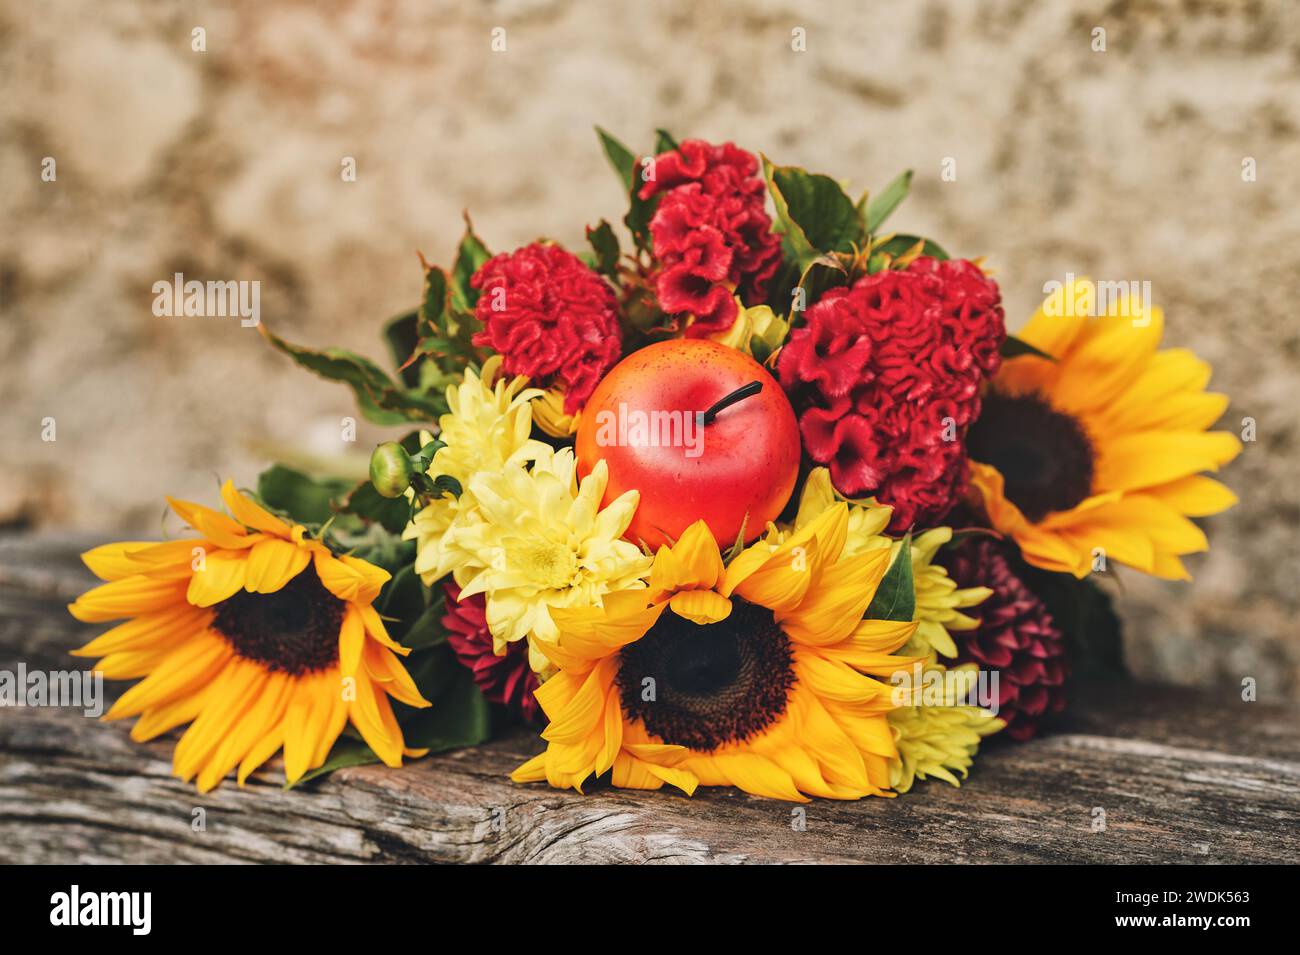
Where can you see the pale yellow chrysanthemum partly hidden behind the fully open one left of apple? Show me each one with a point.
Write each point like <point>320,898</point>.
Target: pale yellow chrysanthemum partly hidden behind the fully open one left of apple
<point>487,431</point>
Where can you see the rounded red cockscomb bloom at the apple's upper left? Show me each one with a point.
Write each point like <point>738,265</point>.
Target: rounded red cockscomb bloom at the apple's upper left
<point>552,318</point>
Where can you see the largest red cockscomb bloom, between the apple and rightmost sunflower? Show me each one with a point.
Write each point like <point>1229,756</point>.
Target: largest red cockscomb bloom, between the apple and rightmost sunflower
<point>886,376</point>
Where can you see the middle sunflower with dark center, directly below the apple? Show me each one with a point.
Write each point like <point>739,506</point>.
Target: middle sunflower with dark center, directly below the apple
<point>759,674</point>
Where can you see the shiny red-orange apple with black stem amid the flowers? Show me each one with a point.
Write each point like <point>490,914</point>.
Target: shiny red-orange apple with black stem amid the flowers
<point>662,426</point>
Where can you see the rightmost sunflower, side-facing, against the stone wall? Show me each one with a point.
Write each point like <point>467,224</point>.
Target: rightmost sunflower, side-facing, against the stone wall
<point>1097,452</point>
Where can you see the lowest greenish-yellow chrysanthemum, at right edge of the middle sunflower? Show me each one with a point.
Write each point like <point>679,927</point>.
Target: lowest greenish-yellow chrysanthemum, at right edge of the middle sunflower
<point>938,740</point>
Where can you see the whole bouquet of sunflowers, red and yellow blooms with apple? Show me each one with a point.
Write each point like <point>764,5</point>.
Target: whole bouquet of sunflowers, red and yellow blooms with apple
<point>756,494</point>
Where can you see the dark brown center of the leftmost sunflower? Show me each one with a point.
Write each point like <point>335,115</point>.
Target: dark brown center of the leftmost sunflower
<point>293,631</point>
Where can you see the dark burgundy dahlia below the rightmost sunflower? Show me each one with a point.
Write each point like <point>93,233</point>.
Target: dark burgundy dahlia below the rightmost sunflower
<point>1017,636</point>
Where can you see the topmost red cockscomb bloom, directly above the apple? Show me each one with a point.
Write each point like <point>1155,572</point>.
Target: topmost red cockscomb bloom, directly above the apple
<point>712,236</point>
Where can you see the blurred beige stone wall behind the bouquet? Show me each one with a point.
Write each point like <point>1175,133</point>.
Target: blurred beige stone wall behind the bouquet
<point>226,164</point>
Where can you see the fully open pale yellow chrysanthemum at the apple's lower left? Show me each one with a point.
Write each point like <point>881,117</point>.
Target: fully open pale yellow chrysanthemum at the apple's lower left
<point>536,540</point>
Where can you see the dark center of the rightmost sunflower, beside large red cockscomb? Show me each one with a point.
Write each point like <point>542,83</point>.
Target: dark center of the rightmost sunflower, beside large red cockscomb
<point>1045,457</point>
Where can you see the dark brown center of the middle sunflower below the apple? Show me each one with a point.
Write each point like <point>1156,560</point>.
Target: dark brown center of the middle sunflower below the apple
<point>705,687</point>
